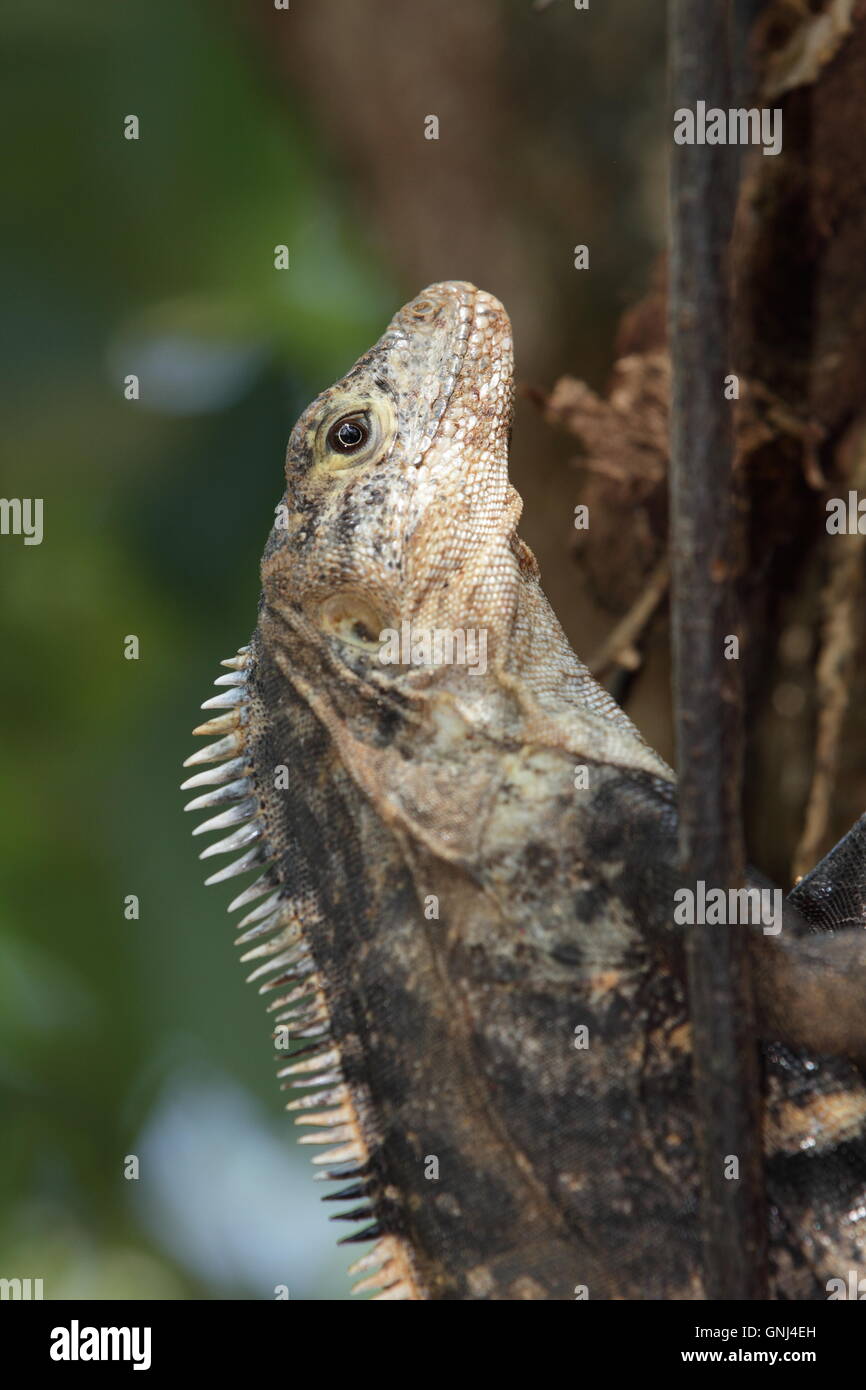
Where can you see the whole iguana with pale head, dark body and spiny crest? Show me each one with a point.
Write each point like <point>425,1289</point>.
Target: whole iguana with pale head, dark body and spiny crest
<point>462,864</point>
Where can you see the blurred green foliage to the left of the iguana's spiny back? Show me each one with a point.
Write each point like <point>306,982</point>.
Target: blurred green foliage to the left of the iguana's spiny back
<point>127,252</point>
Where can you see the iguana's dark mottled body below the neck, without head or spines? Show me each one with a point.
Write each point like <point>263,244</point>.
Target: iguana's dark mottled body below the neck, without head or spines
<point>457,1035</point>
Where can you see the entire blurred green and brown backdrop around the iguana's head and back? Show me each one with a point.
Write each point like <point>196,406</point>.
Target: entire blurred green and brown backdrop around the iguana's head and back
<point>156,256</point>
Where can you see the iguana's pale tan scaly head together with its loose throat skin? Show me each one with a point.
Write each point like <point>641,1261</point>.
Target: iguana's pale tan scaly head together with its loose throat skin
<point>395,554</point>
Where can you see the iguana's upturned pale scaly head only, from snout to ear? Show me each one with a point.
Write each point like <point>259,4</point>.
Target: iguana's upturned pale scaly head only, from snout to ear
<point>398,507</point>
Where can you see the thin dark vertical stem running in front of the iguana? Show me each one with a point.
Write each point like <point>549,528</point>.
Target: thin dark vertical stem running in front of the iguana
<point>708,686</point>
